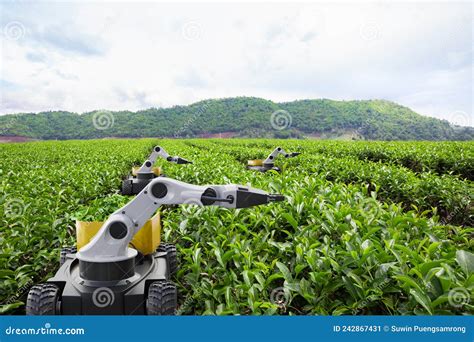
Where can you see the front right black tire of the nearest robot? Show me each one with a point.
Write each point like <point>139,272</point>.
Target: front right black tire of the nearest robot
<point>162,299</point>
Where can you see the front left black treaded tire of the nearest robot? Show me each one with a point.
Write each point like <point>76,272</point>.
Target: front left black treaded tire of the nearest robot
<point>43,299</point>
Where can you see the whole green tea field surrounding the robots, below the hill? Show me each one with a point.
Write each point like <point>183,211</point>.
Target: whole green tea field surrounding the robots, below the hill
<point>368,227</point>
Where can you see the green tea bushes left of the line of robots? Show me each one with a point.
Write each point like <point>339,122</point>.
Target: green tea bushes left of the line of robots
<point>41,185</point>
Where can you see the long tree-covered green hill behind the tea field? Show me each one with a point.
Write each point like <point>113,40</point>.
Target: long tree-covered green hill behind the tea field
<point>242,117</point>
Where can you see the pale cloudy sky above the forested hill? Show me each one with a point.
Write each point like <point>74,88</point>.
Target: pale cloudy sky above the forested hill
<point>129,56</point>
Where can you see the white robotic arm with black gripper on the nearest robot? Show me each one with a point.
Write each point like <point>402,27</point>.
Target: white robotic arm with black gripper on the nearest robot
<point>110,244</point>
